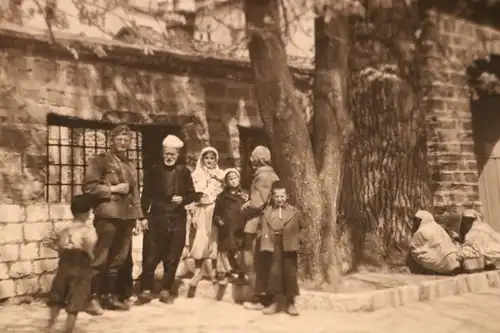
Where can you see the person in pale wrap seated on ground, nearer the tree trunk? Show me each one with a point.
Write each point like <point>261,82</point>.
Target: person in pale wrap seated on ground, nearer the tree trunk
<point>432,248</point>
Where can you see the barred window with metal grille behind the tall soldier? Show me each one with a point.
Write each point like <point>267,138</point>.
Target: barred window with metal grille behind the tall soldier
<point>70,144</point>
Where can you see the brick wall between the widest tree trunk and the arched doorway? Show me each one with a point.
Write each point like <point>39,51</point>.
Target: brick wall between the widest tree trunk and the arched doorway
<point>451,145</point>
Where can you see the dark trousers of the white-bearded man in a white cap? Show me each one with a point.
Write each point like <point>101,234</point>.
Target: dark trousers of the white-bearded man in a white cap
<point>163,242</point>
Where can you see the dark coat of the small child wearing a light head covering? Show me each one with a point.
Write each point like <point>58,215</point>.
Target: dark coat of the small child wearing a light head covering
<point>228,209</point>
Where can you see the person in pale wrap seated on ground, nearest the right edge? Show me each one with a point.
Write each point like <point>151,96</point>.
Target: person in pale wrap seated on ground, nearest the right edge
<point>480,244</point>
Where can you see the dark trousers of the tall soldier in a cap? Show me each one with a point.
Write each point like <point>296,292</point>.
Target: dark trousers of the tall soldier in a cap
<point>114,238</point>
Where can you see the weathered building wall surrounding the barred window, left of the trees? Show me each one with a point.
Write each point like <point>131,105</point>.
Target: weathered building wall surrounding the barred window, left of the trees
<point>207,98</point>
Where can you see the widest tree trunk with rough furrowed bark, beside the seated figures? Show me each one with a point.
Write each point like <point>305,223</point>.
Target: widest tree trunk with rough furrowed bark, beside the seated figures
<point>386,179</point>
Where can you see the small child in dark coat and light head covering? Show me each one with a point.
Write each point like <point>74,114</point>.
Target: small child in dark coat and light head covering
<point>230,224</point>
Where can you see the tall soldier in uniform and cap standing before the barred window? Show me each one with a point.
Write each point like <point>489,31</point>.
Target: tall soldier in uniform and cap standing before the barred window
<point>111,179</point>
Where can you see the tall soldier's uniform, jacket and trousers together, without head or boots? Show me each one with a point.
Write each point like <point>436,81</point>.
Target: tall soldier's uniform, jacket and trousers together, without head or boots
<point>115,216</point>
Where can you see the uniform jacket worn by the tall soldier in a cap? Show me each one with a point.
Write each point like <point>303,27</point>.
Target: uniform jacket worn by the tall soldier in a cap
<point>104,171</point>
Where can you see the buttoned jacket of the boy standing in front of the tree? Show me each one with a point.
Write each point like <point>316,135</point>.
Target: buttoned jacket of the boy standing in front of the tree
<point>290,225</point>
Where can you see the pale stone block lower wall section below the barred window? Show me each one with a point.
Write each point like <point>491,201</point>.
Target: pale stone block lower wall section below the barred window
<point>27,267</point>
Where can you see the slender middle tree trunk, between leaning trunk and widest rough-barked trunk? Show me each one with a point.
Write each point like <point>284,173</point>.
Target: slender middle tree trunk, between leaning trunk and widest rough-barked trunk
<point>332,126</point>
